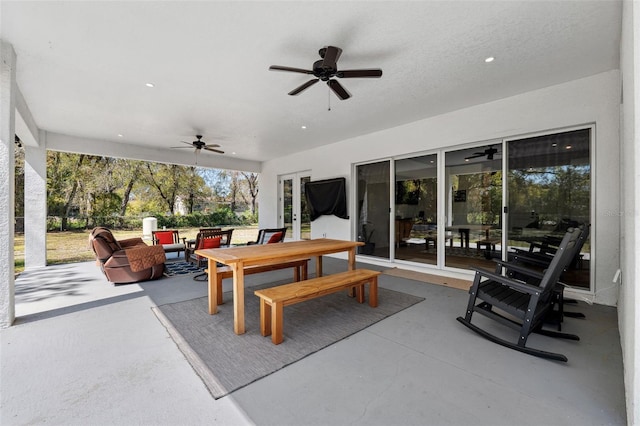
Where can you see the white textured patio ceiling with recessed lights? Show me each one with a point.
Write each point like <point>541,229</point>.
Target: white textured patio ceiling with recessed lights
<point>82,66</point>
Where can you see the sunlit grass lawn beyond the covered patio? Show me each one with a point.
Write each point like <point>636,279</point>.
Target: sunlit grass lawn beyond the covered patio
<point>73,246</point>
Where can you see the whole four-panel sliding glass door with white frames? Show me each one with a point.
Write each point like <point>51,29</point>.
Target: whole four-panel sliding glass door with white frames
<point>463,208</point>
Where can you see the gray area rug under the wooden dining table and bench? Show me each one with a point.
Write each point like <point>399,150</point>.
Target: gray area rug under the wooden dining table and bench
<point>227,362</point>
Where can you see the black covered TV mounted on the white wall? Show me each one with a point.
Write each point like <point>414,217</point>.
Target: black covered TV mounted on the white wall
<point>327,197</point>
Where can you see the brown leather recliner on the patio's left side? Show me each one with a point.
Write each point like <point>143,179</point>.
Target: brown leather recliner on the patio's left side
<point>126,261</point>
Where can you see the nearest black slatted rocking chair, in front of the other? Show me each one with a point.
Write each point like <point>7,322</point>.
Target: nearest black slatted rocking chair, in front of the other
<point>518,304</point>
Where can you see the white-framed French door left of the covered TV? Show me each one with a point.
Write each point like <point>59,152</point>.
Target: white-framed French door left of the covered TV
<point>293,212</point>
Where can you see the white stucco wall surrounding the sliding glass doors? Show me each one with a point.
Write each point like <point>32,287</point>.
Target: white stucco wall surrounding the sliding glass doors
<point>594,99</point>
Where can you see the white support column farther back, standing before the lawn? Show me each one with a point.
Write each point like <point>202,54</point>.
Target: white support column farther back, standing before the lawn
<point>35,204</point>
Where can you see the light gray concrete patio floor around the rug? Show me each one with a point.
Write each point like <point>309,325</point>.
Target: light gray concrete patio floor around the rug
<point>85,352</point>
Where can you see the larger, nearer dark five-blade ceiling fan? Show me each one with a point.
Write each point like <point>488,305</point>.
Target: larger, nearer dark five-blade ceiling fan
<point>326,69</point>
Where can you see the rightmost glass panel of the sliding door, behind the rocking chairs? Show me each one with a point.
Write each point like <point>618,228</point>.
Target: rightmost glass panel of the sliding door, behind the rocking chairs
<point>549,187</point>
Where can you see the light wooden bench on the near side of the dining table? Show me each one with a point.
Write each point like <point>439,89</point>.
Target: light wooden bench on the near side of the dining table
<point>274,299</point>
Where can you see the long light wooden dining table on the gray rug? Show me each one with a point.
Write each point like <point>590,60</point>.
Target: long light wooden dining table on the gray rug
<point>238,258</point>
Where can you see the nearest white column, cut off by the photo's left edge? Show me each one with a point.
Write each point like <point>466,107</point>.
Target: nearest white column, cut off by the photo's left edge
<point>7,183</point>
